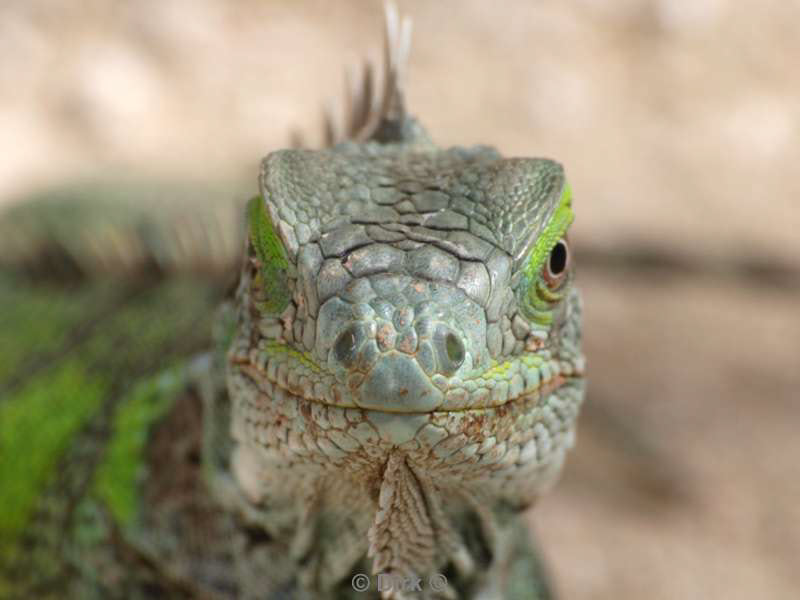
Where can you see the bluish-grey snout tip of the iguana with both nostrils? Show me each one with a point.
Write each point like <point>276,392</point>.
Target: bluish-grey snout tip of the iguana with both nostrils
<point>397,342</point>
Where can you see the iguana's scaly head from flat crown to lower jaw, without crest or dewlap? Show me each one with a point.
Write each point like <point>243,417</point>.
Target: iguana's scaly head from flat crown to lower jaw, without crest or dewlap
<point>421,298</point>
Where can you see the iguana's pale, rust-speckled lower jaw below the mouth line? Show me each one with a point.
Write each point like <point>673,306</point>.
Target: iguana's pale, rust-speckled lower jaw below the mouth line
<point>518,439</point>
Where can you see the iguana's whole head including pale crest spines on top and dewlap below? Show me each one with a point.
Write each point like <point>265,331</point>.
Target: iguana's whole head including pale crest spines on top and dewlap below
<point>407,361</point>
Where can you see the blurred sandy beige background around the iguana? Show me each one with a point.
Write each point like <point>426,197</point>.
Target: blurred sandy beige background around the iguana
<point>678,122</point>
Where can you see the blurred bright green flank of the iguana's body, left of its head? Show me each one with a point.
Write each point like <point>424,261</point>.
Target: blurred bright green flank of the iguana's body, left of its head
<point>85,372</point>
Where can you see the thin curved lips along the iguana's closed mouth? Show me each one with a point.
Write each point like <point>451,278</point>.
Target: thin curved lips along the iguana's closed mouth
<point>545,389</point>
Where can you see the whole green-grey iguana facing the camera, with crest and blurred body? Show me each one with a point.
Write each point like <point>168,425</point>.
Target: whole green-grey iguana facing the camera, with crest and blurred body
<point>395,375</point>
